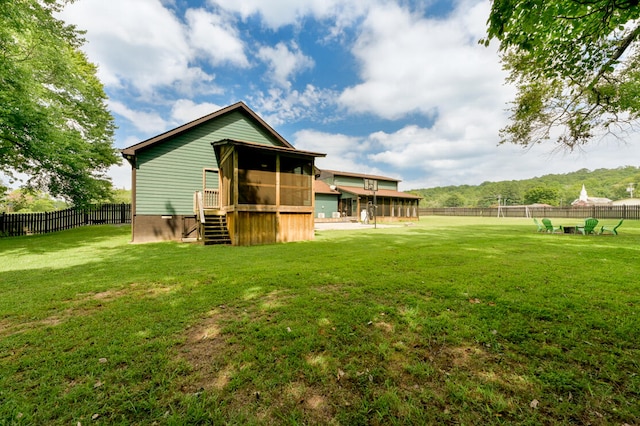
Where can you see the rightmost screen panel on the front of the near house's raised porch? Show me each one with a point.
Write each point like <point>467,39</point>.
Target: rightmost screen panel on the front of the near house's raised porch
<point>295,181</point>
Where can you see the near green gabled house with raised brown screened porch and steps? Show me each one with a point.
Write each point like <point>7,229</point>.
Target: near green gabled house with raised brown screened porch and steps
<point>227,177</point>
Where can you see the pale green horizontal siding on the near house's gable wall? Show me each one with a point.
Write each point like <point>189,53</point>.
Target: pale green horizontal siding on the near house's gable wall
<point>170,172</point>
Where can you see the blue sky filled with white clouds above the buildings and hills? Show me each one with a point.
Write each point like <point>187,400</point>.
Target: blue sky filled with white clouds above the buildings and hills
<point>394,88</point>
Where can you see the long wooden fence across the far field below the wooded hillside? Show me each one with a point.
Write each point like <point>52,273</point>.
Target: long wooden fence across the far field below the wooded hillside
<point>599,212</point>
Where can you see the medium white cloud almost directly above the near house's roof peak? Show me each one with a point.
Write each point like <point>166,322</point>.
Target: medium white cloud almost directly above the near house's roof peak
<point>216,38</point>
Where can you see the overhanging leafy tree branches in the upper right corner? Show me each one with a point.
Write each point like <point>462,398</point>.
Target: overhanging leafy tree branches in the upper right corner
<point>576,66</point>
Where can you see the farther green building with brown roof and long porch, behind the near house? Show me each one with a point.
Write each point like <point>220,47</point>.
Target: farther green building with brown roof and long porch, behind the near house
<point>352,197</point>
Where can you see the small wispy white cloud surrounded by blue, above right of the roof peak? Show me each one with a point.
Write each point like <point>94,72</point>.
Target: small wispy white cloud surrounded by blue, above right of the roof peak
<point>284,63</point>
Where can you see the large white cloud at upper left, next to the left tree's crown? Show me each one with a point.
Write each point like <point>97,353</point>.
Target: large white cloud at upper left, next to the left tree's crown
<point>138,44</point>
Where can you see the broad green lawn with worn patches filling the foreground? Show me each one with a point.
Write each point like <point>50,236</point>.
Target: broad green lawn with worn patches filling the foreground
<point>449,320</point>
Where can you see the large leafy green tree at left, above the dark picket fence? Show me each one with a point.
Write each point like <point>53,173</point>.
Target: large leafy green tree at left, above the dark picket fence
<point>55,127</point>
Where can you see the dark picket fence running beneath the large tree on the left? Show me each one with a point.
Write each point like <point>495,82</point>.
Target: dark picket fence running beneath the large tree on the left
<point>14,224</point>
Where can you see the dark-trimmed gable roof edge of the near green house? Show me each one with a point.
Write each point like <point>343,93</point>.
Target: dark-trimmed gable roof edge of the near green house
<point>238,106</point>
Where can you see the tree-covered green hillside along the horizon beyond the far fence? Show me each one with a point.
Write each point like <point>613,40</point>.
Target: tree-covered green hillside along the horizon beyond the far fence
<point>555,190</point>
